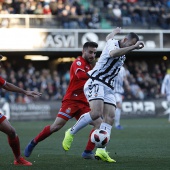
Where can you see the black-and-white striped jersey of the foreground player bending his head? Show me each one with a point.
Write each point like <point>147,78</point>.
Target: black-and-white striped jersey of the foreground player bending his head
<point>107,68</point>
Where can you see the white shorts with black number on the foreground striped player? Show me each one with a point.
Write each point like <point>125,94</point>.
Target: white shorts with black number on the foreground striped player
<point>96,90</point>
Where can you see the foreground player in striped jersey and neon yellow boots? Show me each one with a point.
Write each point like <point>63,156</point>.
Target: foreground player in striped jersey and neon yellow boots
<point>99,88</point>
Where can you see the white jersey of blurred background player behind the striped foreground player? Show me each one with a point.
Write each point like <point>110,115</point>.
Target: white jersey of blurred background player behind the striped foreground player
<point>119,80</point>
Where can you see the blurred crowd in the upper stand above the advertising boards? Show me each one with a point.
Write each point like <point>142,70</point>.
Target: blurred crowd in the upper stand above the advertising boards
<point>91,13</point>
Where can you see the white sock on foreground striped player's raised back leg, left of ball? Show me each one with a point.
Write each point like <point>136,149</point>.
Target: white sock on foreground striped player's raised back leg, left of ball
<point>84,120</point>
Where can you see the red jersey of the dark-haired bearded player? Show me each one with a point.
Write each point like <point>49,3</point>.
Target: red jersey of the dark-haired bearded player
<point>76,85</point>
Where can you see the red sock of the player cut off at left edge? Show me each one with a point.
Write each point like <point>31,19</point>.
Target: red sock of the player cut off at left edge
<point>15,146</point>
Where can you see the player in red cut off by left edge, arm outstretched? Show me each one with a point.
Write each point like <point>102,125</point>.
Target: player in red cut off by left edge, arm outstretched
<point>7,128</point>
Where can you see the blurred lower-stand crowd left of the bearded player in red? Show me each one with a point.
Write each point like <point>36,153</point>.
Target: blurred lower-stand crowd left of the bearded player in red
<point>52,84</point>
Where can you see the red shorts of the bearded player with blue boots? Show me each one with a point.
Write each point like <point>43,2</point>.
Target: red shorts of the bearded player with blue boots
<point>70,109</point>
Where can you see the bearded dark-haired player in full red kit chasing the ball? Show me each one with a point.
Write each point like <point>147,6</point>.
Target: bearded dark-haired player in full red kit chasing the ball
<point>74,103</point>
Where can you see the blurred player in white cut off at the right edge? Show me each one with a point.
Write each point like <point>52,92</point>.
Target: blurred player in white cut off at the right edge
<point>165,89</point>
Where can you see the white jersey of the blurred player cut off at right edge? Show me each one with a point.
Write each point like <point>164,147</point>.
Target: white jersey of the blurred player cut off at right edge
<point>165,89</point>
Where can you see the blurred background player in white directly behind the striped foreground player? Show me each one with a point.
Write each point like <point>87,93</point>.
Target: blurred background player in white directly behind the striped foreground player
<point>119,84</point>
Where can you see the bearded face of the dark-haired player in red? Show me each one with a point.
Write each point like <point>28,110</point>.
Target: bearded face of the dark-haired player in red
<point>89,54</point>
